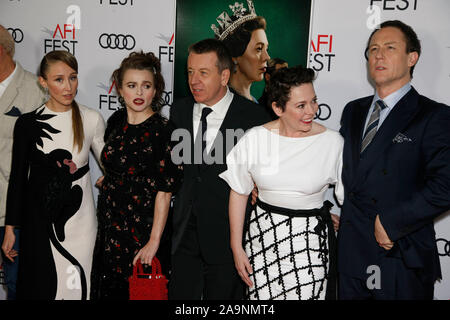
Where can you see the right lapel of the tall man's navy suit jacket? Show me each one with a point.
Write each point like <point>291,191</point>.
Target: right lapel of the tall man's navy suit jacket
<point>397,120</point>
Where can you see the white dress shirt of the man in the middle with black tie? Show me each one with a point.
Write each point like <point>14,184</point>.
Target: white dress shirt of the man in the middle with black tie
<point>214,119</point>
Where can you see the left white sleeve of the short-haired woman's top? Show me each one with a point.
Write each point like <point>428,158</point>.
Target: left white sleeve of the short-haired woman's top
<point>237,174</point>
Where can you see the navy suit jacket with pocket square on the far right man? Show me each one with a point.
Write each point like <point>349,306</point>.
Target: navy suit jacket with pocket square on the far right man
<point>403,176</point>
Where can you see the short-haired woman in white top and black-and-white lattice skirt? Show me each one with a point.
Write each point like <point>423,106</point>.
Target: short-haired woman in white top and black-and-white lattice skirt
<point>289,240</point>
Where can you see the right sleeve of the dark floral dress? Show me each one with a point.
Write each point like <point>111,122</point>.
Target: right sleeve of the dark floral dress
<point>169,175</point>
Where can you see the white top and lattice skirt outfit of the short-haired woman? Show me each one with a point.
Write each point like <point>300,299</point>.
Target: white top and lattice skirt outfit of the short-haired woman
<point>289,254</point>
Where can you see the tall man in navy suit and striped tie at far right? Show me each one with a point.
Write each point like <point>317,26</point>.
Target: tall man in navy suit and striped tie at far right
<point>397,177</point>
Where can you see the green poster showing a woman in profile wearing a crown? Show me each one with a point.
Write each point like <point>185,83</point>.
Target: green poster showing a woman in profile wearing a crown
<point>283,29</point>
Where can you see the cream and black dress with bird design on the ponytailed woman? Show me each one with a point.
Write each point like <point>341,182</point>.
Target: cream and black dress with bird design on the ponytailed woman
<point>53,204</point>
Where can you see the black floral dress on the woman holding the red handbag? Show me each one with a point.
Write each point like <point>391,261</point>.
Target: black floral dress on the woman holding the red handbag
<point>137,164</point>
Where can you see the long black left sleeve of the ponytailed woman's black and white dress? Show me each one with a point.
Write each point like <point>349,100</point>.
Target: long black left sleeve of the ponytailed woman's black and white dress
<point>18,179</point>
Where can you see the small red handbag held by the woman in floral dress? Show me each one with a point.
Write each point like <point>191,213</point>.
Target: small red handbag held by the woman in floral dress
<point>145,286</point>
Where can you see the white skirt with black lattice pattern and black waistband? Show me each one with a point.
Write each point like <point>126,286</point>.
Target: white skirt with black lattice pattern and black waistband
<point>289,253</point>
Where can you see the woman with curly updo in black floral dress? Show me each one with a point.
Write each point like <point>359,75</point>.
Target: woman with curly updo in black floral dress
<point>139,180</point>
